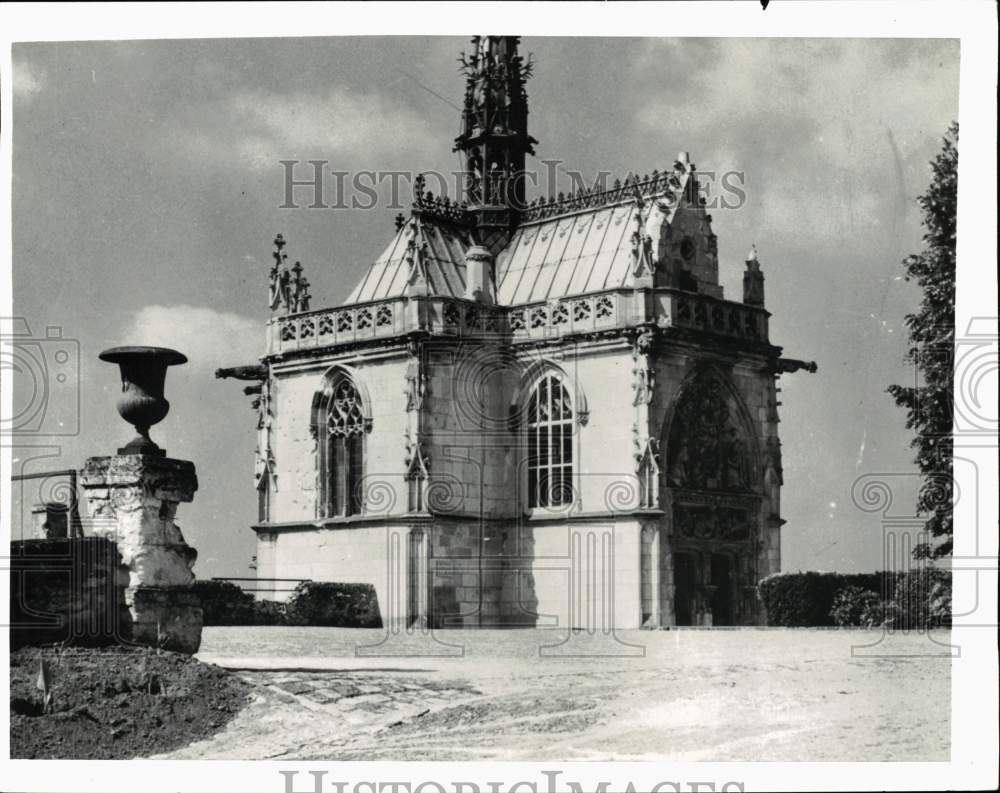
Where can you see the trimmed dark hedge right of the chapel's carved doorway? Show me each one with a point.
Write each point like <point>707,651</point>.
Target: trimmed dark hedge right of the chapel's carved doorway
<point>912,599</point>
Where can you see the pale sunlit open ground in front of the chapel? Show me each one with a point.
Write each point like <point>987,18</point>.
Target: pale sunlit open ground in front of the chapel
<point>737,695</point>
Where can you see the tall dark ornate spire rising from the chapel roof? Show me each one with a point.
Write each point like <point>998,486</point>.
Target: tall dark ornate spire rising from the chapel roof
<point>494,139</point>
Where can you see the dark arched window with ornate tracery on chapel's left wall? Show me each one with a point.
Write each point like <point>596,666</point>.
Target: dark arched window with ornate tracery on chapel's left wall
<point>341,429</point>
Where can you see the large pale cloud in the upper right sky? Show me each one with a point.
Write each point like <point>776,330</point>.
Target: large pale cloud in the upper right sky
<point>811,122</point>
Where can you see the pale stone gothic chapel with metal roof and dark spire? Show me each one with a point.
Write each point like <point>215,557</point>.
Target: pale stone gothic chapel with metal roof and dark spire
<point>526,414</point>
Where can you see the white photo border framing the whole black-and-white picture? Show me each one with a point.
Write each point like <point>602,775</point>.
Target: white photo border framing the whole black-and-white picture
<point>974,752</point>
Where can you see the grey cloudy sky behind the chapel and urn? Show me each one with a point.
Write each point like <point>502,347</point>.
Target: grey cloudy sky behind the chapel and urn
<point>147,186</point>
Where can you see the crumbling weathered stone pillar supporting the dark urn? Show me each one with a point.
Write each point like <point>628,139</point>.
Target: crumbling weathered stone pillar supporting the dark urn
<point>137,495</point>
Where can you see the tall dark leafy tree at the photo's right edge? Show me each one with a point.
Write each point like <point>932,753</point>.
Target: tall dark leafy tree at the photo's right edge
<point>932,350</point>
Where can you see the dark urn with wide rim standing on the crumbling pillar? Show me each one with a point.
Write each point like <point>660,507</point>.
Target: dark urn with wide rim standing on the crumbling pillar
<point>142,404</point>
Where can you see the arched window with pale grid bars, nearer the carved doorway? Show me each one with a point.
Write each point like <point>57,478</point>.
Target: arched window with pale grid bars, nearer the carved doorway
<point>550,444</point>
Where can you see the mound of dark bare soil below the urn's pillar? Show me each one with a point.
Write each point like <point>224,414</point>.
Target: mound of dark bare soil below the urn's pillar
<point>116,703</point>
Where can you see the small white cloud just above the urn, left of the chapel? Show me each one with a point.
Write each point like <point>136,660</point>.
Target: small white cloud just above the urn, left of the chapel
<point>209,338</point>
